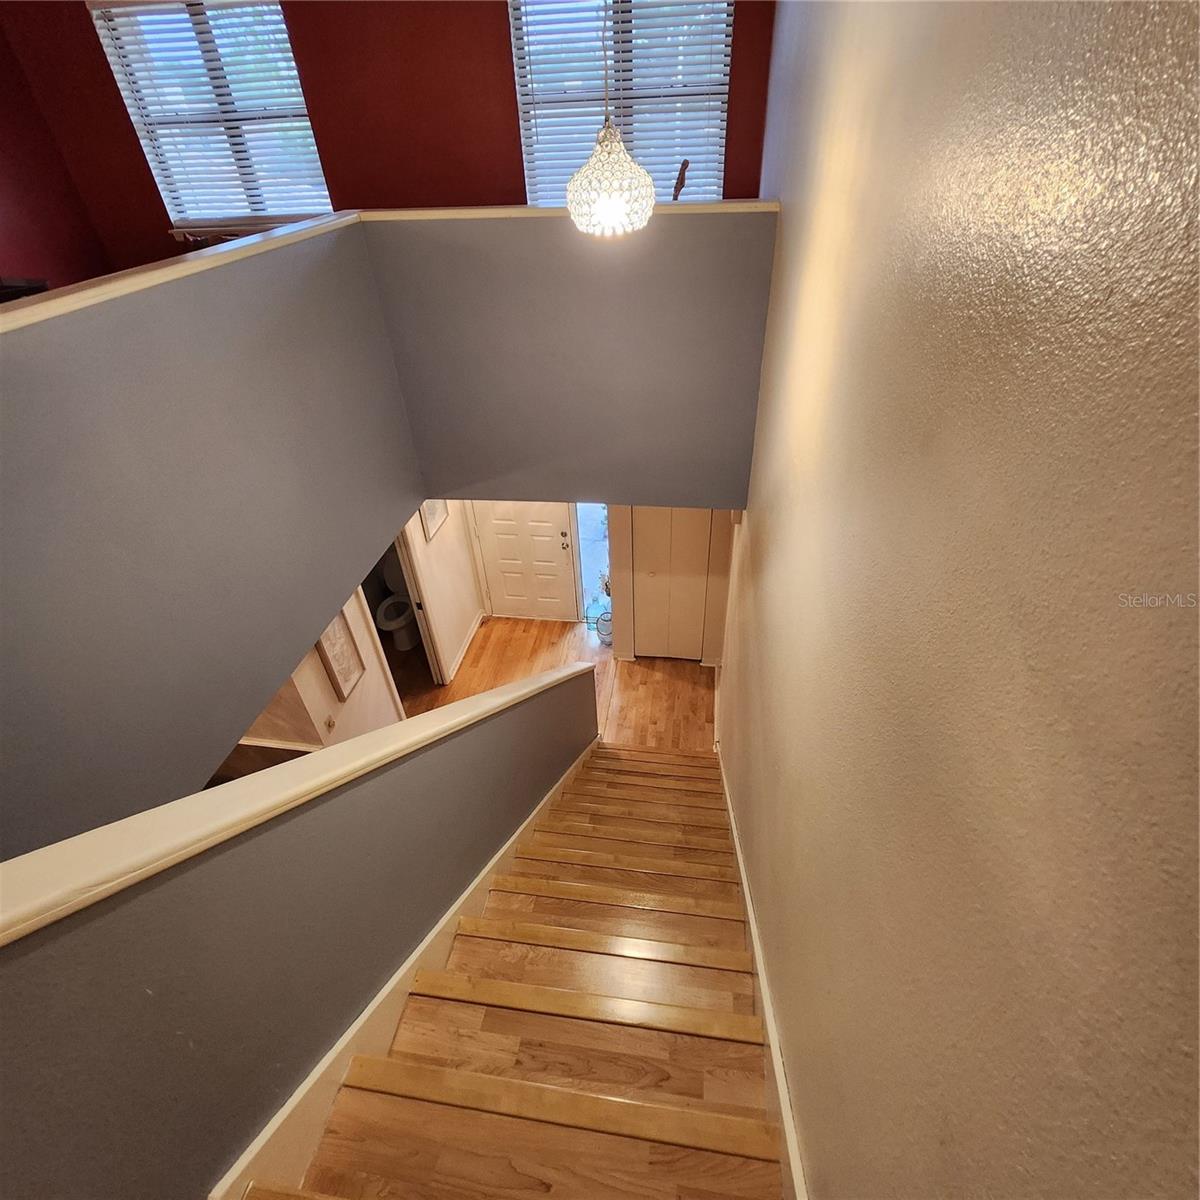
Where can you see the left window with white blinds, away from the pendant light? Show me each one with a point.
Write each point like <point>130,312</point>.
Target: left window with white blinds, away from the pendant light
<point>214,95</point>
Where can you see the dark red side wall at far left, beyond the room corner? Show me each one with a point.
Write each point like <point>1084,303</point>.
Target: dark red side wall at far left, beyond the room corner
<point>45,232</point>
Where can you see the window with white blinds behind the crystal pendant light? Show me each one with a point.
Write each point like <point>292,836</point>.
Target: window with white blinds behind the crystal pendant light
<point>669,86</point>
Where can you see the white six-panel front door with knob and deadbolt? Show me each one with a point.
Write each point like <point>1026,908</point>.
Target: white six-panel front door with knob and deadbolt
<point>529,563</point>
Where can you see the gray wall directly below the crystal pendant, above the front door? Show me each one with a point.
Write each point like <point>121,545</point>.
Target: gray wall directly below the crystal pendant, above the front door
<point>541,364</point>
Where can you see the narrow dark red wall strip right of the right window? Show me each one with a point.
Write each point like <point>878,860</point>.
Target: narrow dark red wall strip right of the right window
<point>754,22</point>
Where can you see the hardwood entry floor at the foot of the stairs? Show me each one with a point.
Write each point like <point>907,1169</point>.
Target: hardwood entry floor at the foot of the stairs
<point>656,704</point>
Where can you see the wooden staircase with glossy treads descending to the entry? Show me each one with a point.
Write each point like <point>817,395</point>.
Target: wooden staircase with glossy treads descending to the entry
<point>595,1033</point>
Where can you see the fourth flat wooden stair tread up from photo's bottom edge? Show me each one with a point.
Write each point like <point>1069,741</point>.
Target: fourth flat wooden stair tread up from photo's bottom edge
<point>661,927</point>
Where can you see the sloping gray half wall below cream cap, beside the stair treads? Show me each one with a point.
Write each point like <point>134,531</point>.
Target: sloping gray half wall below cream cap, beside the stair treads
<point>147,1040</point>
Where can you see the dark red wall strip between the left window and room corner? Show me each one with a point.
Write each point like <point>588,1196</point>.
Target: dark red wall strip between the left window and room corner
<point>71,81</point>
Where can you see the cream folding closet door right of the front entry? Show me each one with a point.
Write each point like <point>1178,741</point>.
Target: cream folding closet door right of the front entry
<point>670,581</point>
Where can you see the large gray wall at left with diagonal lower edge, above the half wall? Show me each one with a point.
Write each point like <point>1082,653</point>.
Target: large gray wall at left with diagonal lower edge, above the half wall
<point>195,479</point>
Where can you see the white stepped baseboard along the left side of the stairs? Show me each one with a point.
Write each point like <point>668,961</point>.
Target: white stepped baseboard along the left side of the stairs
<point>281,1153</point>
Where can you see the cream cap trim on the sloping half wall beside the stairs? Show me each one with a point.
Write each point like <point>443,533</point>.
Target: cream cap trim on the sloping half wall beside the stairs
<point>56,881</point>
